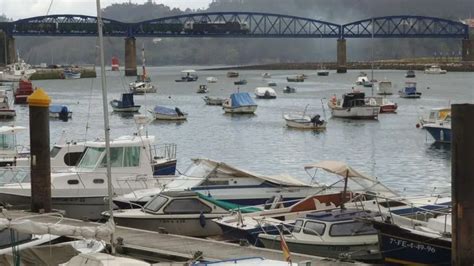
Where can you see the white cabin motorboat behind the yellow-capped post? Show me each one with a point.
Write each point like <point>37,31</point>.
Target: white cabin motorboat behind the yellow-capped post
<point>80,190</point>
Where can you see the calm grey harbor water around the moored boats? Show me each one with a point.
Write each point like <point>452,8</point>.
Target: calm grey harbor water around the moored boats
<point>392,148</point>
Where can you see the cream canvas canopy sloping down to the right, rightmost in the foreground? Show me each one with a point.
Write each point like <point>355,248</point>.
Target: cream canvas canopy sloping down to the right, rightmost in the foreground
<point>367,183</point>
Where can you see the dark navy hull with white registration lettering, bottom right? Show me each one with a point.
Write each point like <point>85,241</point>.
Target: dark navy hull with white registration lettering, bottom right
<point>401,246</point>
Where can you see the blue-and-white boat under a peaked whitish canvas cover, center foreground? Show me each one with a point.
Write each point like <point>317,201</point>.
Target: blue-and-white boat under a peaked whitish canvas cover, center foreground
<point>222,181</point>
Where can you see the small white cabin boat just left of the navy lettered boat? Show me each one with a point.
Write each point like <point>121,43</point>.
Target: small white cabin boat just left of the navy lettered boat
<point>331,234</point>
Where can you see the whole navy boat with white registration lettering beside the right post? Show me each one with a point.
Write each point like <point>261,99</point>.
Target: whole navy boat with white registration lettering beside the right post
<point>416,244</point>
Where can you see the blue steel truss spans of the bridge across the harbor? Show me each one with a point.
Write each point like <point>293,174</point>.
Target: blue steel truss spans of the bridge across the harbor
<point>241,25</point>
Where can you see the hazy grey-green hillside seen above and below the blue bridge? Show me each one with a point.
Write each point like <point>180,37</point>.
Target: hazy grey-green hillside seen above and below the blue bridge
<point>177,51</point>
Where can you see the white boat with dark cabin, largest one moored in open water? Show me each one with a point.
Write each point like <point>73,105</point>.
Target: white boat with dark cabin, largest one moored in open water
<point>353,105</point>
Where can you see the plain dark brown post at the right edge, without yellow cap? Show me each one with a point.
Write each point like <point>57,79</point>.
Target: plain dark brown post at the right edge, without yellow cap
<point>462,148</point>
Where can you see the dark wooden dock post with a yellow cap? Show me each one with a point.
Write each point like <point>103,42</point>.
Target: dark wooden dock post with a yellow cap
<point>39,148</point>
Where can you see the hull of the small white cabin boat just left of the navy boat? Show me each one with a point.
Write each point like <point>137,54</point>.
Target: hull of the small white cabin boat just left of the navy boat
<point>362,252</point>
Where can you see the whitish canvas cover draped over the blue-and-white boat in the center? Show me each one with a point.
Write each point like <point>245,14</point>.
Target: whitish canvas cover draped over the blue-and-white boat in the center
<point>202,169</point>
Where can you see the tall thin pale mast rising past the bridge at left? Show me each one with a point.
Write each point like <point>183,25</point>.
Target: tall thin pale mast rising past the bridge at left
<point>106,118</point>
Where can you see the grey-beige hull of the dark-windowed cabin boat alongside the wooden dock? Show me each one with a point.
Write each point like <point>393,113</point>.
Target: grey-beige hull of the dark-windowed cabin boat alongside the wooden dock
<point>192,226</point>
